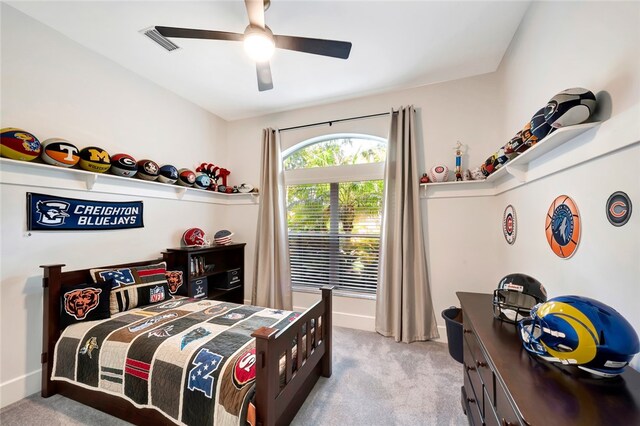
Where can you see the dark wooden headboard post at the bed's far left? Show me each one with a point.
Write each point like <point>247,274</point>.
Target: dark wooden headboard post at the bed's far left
<point>50,324</point>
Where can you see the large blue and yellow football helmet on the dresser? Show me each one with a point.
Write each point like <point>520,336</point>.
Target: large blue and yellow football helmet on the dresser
<point>580,331</point>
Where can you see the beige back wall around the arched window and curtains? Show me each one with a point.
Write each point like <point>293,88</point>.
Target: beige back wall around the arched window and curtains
<point>457,231</point>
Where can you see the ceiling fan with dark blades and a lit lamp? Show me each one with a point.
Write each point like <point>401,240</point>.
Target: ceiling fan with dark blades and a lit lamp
<point>260,42</point>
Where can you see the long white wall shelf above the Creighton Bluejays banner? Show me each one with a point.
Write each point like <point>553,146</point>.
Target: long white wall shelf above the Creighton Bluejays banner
<point>26,173</point>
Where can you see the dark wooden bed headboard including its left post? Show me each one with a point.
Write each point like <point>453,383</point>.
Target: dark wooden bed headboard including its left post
<point>53,281</point>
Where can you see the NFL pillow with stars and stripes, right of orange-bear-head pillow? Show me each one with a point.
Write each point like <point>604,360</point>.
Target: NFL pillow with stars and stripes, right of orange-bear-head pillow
<point>134,286</point>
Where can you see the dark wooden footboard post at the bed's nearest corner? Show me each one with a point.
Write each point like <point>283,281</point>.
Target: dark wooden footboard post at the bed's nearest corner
<point>267,385</point>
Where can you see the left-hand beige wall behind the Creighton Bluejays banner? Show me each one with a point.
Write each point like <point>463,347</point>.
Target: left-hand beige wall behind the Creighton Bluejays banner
<point>54,87</point>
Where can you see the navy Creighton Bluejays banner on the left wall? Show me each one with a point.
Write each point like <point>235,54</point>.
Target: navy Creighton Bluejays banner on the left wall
<point>53,213</point>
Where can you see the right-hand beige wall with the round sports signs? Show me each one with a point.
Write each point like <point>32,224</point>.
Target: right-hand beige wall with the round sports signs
<point>593,45</point>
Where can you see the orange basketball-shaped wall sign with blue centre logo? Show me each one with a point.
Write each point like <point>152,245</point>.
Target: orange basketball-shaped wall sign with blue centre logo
<point>562,226</point>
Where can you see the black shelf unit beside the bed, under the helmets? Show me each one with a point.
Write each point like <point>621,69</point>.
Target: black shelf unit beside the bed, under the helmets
<point>212,272</point>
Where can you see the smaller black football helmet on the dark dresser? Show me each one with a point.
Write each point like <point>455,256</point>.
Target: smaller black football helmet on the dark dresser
<point>515,296</point>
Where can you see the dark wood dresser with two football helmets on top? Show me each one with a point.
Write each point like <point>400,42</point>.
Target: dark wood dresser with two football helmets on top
<point>503,385</point>
